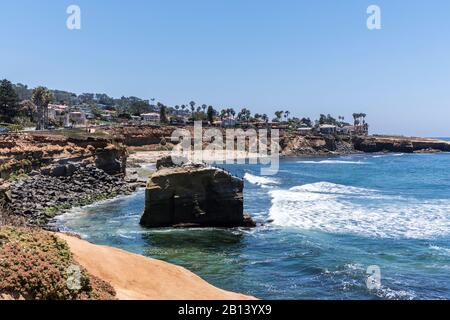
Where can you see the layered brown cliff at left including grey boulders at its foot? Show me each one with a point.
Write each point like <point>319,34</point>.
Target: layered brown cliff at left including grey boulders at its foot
<point>41,175</point>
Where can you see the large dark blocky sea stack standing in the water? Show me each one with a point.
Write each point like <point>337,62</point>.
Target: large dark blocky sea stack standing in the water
<point>194,196</point>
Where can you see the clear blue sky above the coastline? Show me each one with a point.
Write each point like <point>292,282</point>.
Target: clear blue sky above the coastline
<point>310,57</point>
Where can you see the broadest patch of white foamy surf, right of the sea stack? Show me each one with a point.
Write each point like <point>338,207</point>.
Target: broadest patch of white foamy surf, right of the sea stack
<point>344,209</point>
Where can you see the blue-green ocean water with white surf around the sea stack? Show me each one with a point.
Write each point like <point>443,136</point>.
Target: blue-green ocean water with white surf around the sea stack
<point>332,219</point>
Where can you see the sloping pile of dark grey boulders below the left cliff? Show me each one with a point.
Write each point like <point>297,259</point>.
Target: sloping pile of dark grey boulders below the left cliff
<point>42,195</point>
